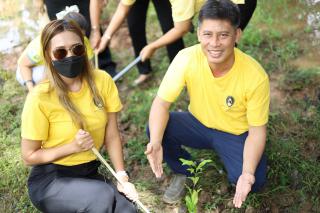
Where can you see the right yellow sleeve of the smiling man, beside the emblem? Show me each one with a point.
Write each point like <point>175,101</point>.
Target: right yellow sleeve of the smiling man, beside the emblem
<point>258,104</point>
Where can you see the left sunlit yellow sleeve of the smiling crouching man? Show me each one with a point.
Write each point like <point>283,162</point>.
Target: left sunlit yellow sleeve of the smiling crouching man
<point>175,79</point>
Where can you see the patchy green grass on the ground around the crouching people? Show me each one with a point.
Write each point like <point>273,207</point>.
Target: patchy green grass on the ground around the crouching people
<point>293,147</point>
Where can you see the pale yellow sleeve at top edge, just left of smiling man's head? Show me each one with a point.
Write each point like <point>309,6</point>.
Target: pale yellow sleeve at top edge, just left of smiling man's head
<point>183,10</point>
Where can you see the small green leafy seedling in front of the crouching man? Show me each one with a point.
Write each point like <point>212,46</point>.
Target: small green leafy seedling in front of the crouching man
<point>192,195</point>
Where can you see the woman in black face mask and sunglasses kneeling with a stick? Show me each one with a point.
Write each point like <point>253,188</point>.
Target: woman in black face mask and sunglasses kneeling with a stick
<point>62,119</point>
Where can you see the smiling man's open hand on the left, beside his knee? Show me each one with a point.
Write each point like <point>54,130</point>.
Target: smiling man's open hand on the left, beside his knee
<point>155,155</point>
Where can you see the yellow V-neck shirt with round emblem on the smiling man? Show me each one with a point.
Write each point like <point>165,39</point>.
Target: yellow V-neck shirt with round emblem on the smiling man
<point>230,103</point>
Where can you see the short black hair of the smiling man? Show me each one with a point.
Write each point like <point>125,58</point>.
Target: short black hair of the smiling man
<point>220,9</point>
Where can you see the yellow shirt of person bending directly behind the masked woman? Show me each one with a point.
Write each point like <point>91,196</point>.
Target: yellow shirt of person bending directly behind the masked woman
<point>34,51</point>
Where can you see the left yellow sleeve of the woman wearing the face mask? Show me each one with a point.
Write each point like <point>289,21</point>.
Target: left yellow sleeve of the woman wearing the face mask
<point>34,122</point>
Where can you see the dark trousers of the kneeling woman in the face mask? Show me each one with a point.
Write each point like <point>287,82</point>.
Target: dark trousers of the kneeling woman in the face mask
<point>55,188</point>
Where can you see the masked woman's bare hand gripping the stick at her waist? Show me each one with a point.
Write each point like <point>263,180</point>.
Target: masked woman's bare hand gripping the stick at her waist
<point>83,141</point>
